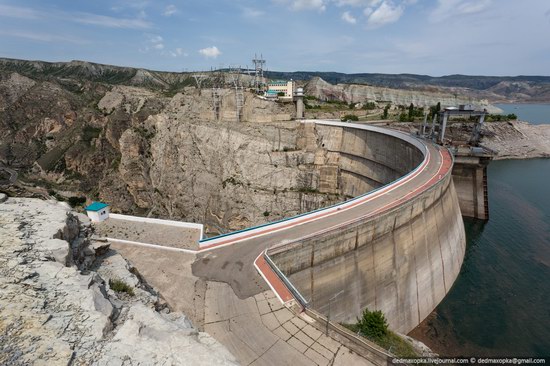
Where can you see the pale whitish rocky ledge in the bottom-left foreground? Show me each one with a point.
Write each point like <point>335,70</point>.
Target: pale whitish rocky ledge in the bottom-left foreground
<point>67,300</point>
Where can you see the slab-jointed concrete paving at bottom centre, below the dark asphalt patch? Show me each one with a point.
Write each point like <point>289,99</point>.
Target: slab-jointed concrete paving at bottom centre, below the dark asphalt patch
<point>261,331</point>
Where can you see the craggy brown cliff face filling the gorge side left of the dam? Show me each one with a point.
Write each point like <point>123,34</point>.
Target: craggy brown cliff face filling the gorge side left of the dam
<point>148,153</point>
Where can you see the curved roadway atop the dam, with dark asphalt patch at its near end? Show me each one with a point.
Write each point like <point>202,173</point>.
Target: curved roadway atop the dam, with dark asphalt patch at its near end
<point>231,258</point>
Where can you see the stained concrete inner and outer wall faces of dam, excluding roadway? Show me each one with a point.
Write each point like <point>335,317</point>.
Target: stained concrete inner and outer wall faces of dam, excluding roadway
<point>402,261</point>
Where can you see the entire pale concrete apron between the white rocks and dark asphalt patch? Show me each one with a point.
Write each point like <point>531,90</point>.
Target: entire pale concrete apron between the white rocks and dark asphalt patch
<point>257,330</point>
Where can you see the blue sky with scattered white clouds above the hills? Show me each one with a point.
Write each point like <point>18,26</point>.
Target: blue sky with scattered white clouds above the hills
<point>434,37</point>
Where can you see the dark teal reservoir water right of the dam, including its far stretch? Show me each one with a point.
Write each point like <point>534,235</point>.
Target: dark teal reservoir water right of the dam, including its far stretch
<point>500,302</point>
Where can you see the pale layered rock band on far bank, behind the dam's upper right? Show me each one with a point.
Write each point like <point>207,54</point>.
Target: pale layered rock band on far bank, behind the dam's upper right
<point>360,93</point>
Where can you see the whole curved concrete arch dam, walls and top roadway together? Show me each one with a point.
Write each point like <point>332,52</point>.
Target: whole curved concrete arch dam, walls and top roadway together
<point>397,248</point>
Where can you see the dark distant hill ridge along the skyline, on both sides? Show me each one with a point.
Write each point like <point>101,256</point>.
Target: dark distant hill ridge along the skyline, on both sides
<point>521,89</point>
